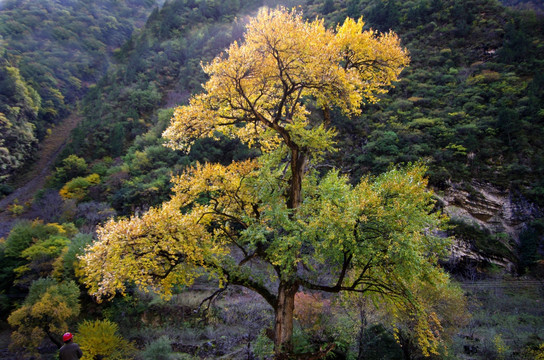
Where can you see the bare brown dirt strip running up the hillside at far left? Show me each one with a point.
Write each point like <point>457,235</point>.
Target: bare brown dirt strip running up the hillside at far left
<point>34,179</point>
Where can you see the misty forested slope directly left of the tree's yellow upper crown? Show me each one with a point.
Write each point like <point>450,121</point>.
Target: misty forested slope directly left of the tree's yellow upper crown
<point>158,68</point>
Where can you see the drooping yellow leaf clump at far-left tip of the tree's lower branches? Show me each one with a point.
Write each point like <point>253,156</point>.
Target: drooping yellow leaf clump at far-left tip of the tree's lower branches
<point>144,250</point>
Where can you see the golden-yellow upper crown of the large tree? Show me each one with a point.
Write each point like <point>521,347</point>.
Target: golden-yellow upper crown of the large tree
<point>256,88</point>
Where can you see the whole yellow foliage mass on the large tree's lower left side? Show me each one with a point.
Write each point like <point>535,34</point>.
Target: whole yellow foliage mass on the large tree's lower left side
<point>170,244</point>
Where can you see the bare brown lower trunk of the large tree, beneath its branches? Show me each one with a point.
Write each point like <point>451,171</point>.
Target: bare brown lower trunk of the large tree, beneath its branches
<point>283,328</point>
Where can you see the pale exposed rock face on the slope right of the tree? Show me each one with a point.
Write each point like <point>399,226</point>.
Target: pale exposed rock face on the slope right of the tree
<point>500,213</point>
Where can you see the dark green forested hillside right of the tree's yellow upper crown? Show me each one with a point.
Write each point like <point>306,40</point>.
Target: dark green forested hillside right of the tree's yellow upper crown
<point>471,101</point>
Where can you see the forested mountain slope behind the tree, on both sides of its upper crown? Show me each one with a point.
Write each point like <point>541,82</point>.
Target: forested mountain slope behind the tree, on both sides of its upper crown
<point>470,103</point>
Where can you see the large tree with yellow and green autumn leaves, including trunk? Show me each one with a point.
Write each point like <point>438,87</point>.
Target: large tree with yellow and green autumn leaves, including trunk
<point>277,223</point>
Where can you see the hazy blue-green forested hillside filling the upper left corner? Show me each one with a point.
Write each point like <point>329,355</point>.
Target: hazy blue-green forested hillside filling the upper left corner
<point>56,49</point>
